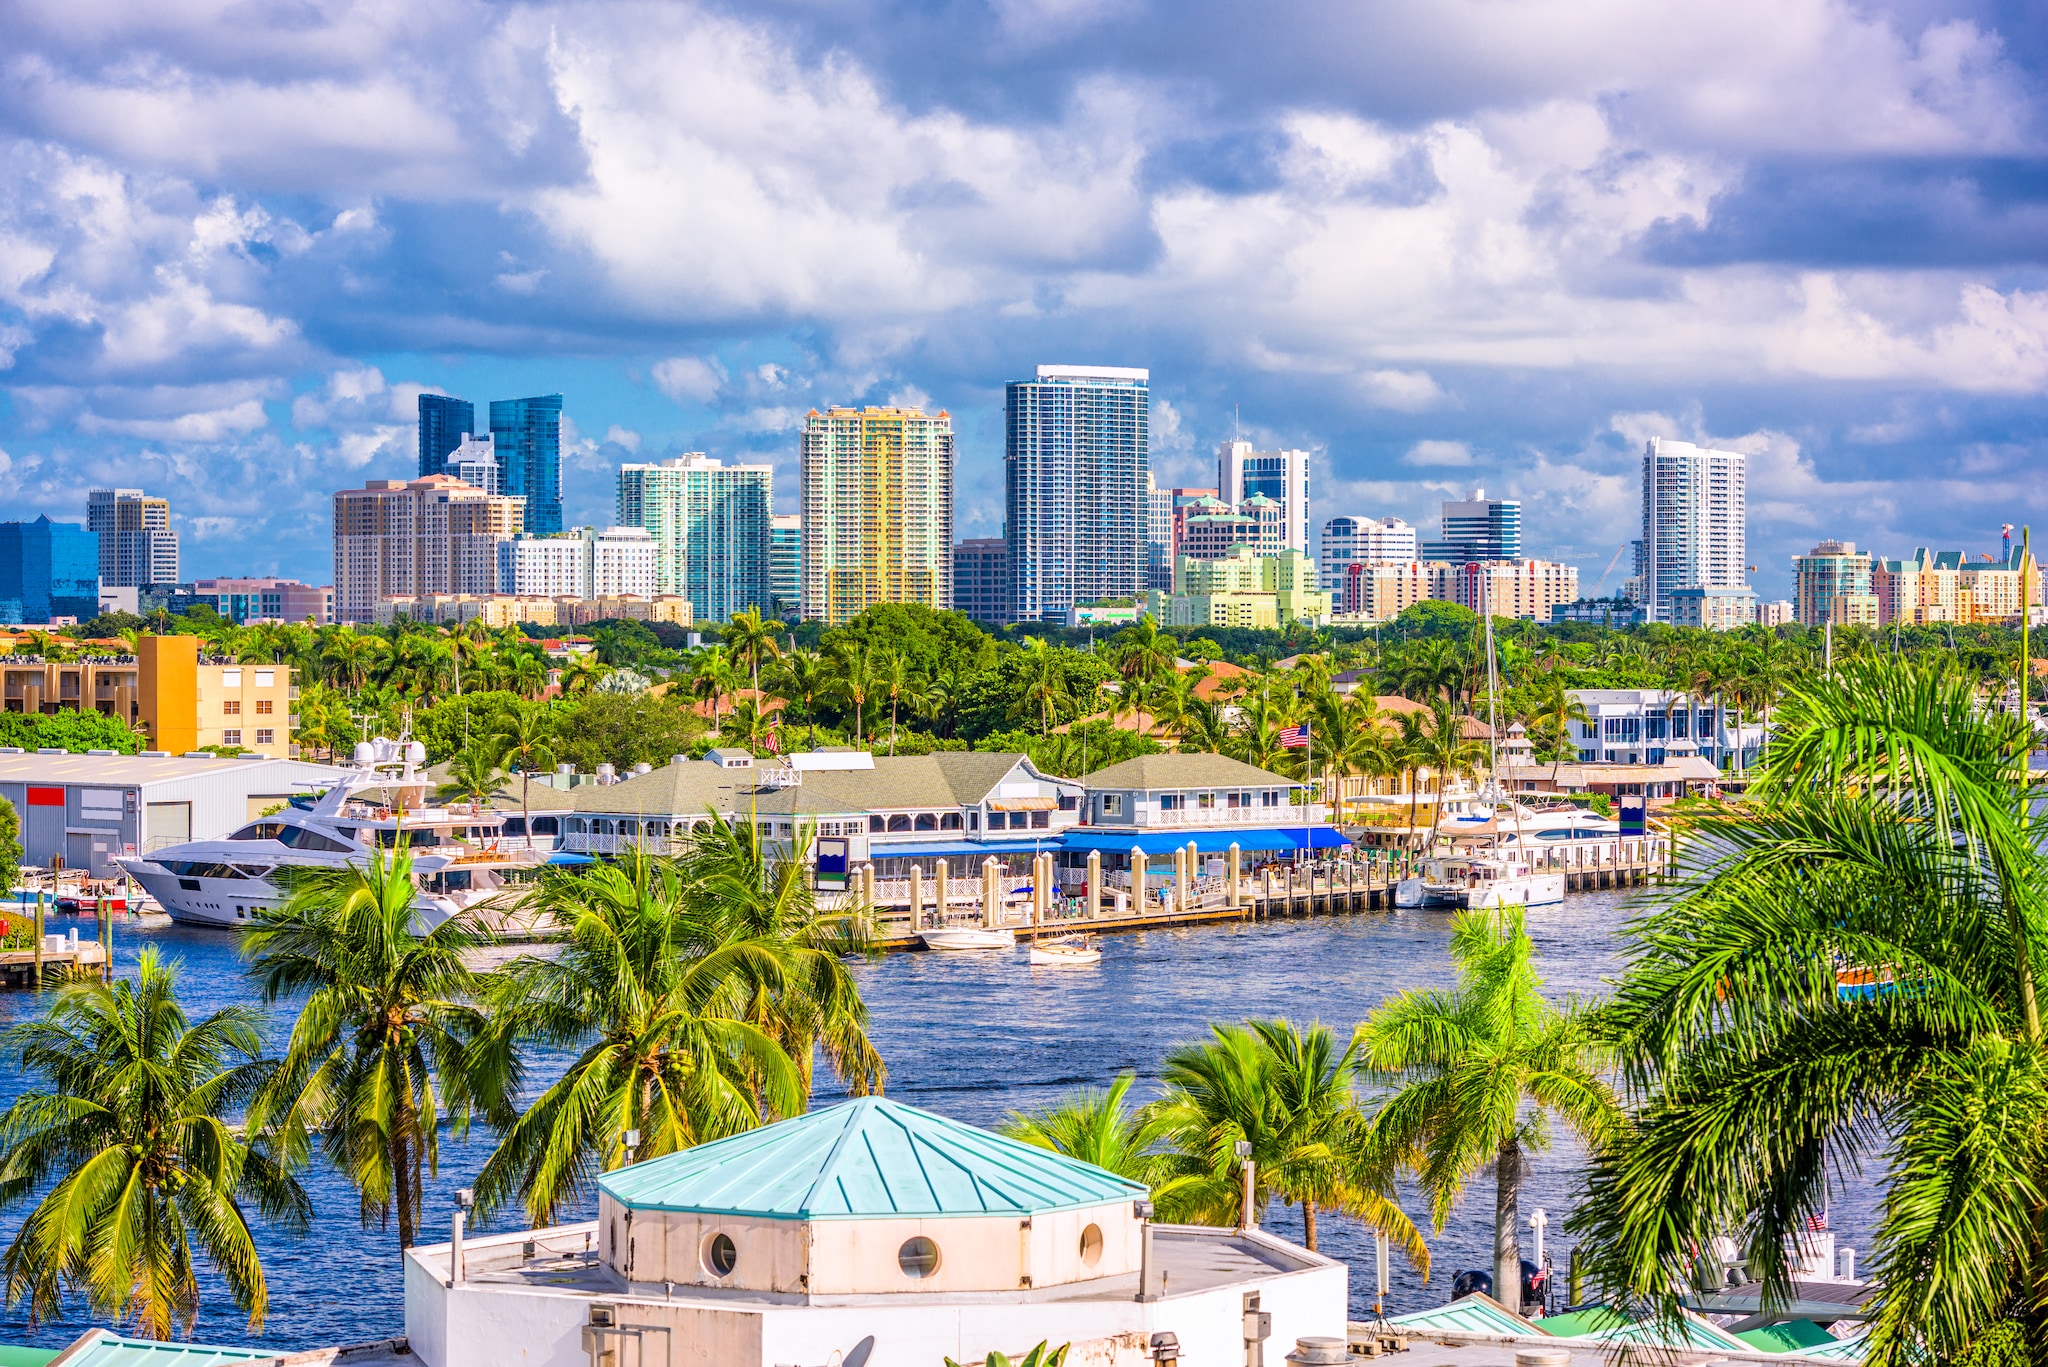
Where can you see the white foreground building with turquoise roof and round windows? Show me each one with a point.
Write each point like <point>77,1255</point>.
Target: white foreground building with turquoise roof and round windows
<point>867,1233</point>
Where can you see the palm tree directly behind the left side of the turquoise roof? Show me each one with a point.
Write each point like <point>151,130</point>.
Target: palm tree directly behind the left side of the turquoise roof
<point>663,1046</point>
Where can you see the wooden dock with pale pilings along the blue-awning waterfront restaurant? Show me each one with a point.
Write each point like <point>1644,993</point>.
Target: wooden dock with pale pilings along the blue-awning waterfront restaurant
<point>1330,888</point>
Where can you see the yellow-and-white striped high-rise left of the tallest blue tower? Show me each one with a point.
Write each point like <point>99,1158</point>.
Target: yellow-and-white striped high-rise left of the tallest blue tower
<point>878,511</point>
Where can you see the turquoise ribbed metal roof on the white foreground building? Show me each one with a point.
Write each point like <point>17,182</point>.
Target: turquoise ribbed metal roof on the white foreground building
<point>867,1157</point>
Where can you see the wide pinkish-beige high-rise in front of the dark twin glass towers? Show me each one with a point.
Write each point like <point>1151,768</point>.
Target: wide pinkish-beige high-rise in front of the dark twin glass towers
<point>433,536</point>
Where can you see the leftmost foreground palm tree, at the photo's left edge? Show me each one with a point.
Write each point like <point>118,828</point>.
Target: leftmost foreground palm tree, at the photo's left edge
<point>142,1163</point>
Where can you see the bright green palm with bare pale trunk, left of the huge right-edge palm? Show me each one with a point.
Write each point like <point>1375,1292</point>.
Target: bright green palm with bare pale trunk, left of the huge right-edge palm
<point>1467,1061</point>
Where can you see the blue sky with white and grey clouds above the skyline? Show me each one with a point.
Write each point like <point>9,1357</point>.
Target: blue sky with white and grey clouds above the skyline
<point>1443,245</point>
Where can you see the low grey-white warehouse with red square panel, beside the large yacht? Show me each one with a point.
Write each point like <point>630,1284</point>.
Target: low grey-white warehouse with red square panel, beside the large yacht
<point>89,811</point>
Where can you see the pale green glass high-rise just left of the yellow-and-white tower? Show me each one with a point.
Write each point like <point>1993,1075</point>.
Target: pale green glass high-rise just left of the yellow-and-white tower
<point>712,526</point>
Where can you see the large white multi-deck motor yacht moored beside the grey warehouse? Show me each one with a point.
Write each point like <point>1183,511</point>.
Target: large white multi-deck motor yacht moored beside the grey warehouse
<point>460,854</point>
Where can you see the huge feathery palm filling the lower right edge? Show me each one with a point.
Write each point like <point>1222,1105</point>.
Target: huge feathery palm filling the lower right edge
<point>1893,833</point>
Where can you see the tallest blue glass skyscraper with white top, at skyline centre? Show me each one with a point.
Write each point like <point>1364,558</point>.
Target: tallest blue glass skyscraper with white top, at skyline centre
<point>1076,454</point>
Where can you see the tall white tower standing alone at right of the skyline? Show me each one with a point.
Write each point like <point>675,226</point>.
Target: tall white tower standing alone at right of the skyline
<point>1695,524</point>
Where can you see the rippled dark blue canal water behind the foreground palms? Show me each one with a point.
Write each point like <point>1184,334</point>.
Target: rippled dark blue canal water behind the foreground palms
<point>976,1038</point>
